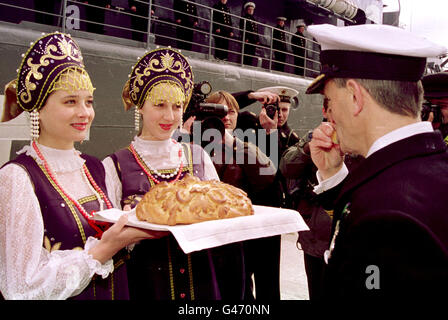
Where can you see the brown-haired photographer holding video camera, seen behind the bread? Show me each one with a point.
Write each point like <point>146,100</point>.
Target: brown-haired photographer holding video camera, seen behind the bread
<point>220,111</point>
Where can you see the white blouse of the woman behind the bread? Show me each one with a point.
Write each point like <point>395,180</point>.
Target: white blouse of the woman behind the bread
<point>159,155</point>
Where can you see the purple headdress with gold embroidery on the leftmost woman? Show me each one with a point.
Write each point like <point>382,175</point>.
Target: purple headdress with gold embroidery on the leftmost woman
<point>53,62</point>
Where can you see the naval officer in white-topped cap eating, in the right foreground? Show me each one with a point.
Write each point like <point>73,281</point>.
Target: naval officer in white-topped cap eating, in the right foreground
<point>389,226</point>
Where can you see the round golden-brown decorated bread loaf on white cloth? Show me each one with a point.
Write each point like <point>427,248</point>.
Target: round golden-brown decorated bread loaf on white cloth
<point>191,200</point>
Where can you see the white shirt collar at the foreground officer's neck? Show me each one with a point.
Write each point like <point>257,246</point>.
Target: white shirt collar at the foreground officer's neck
<point>399,134</point>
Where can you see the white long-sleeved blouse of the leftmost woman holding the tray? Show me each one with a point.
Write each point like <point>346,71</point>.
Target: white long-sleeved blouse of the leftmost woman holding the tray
<point>27,269</point>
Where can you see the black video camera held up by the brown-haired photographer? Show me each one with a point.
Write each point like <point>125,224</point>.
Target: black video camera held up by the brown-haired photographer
<point>209,114</point>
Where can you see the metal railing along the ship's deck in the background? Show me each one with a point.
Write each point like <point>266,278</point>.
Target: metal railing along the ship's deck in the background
<point>205,29</point>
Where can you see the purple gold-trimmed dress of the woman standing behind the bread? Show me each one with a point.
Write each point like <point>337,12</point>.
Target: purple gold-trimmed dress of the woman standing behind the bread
<point>158,268</point>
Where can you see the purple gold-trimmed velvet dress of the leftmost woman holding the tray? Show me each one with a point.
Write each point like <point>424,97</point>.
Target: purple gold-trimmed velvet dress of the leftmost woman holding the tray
<point>67,229</point>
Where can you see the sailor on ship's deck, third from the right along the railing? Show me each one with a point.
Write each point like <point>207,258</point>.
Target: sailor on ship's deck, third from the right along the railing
<point>249,28</point>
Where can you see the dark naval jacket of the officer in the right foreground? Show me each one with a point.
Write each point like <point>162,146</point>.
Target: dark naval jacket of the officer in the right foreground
<point>390,224</point>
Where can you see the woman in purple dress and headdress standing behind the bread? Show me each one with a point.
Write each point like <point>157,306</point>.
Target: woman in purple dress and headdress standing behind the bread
<point>160,87</point>
